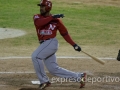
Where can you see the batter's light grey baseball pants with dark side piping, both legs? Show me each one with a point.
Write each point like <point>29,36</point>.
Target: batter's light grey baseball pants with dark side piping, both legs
<point>45,55</point>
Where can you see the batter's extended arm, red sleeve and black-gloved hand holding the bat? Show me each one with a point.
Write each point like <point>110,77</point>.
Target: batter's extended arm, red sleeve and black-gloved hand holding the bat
<point>63,31</point>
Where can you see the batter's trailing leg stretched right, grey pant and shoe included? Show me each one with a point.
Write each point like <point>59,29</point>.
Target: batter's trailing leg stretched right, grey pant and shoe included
<point>54,69</point>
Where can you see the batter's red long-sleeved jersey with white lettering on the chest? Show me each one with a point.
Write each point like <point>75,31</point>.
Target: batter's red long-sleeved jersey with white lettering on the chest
<point>46,28</point>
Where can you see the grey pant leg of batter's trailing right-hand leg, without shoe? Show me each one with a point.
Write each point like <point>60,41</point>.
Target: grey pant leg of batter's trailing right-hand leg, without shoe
<point>54,69</point>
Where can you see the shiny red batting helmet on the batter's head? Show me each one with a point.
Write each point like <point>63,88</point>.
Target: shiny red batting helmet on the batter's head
<point>47,4</point>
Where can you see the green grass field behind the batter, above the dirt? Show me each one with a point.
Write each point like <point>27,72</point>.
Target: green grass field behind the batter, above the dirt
<point>97,25</point>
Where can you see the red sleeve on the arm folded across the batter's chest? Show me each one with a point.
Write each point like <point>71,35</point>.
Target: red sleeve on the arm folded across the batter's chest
<point>39,21</point>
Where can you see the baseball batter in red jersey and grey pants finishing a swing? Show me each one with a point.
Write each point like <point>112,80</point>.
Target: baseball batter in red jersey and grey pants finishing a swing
<point>46,27</point>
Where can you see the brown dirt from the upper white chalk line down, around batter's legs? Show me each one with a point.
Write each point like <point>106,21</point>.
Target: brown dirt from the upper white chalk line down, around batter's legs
<point>18,74</point>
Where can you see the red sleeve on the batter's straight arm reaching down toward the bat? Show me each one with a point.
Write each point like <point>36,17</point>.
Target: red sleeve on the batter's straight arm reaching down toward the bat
<point>63,31</point>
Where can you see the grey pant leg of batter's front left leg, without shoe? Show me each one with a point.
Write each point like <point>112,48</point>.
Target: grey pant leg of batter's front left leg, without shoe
<point>45,50</point>
